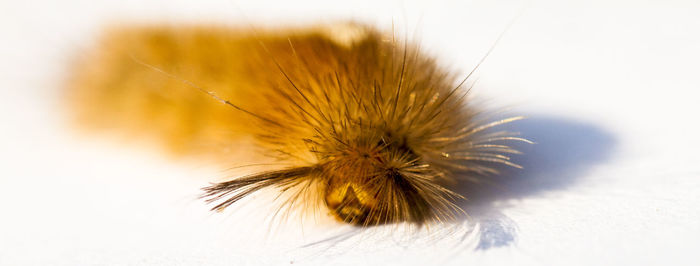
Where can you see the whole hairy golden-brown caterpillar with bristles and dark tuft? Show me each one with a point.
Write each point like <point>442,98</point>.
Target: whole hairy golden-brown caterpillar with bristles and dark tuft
<point>371,127</point>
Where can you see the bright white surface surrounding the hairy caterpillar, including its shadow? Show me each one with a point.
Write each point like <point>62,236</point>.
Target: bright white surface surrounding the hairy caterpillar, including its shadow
<point>611,88</point>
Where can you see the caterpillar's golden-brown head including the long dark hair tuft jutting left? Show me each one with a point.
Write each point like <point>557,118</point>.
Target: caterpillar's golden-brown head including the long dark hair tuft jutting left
<point>370,180</point>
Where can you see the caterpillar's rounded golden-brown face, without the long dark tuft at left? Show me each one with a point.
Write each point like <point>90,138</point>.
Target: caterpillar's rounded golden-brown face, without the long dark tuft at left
<point>378,180</point>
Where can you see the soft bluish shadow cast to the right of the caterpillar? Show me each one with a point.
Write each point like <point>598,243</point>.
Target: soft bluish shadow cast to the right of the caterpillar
<point>563,152</point>
